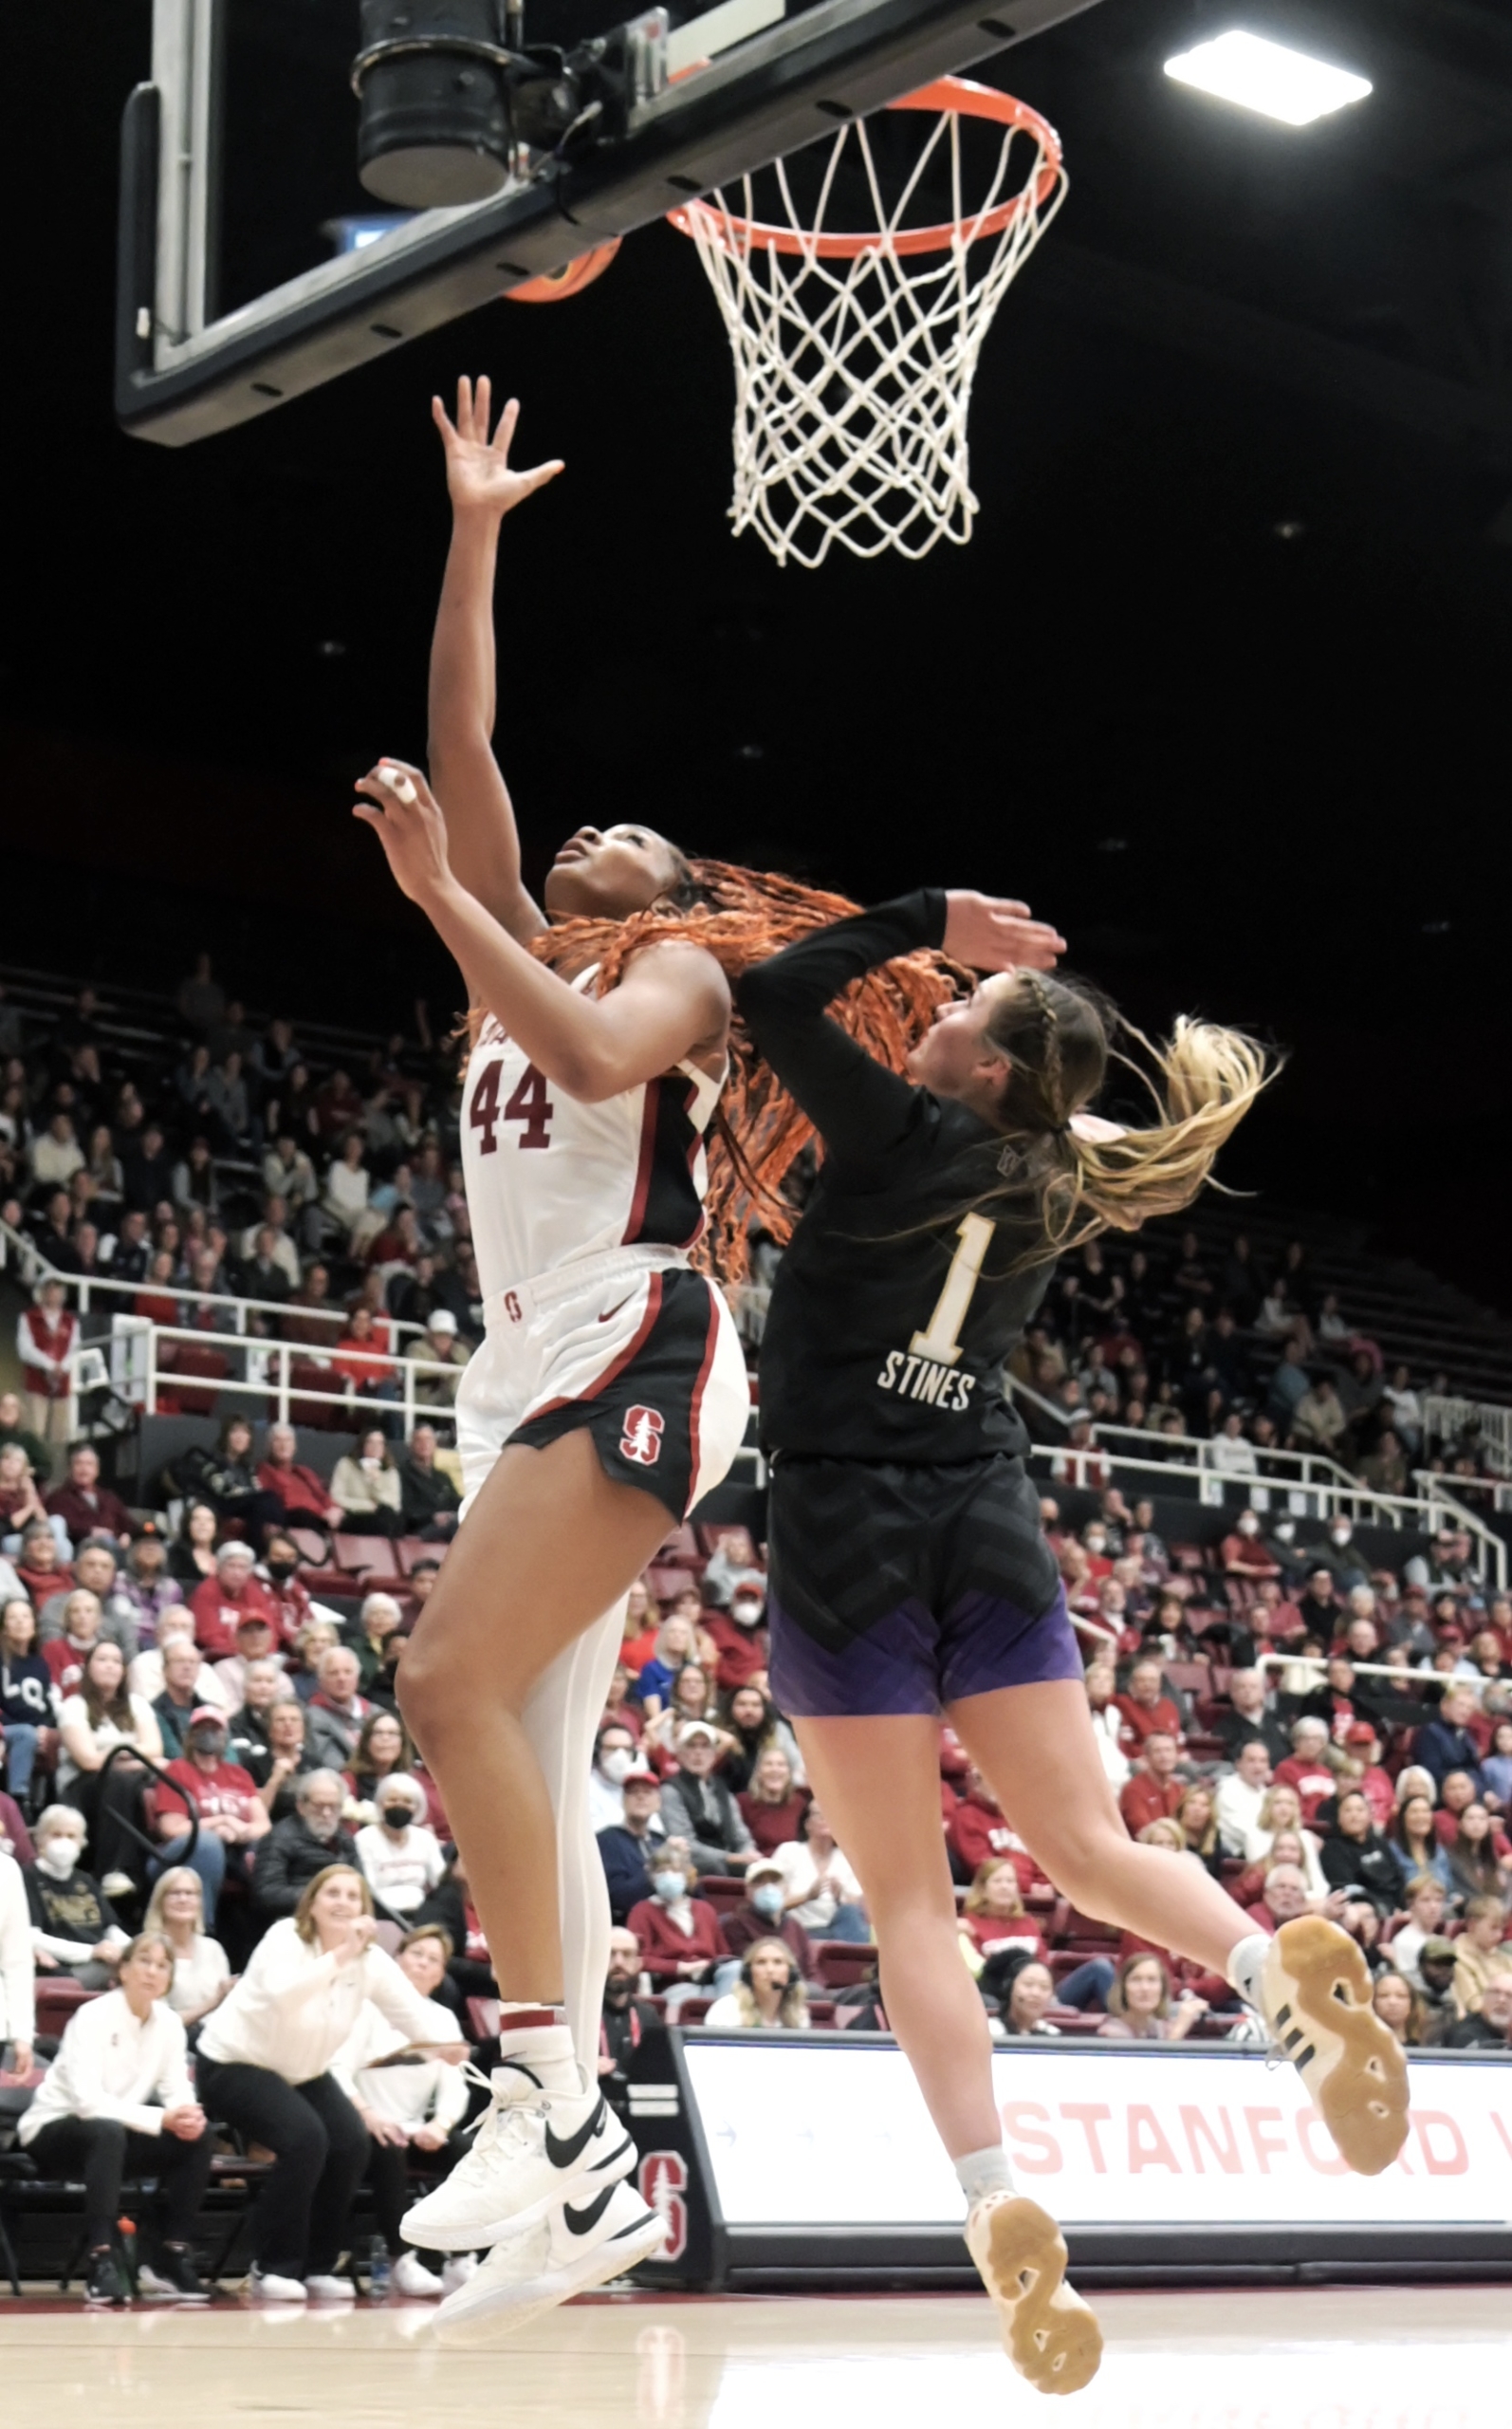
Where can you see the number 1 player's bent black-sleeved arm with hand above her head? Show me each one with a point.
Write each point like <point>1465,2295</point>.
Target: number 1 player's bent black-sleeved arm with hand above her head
<point>858,1106</point>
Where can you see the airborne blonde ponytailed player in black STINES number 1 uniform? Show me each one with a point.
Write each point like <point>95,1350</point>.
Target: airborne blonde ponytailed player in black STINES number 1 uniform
<point>909,1570</point>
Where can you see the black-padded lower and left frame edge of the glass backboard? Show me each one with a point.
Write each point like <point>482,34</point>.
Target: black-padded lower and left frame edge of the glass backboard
<point>183,373</point>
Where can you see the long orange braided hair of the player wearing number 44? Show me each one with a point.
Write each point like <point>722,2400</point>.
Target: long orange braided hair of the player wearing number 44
<point>744,917</point>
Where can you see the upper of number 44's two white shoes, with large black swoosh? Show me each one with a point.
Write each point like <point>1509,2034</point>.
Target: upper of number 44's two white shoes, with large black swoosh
<point>533,2151</point>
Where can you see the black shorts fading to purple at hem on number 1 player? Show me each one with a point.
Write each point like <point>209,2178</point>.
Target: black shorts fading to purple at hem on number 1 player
<point>904,1590</point>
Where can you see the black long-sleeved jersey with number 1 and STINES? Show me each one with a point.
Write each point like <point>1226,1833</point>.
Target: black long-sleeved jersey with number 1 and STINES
<point>897,1301</point>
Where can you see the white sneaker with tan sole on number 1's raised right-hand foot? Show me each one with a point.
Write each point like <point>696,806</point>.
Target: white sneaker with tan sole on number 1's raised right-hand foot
<point>1319,2008</point>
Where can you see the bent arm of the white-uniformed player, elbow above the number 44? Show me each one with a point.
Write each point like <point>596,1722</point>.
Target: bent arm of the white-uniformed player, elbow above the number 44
<point>671,1002</point>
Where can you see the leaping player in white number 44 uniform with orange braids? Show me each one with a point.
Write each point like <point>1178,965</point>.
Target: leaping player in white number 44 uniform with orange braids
<point>610,1391</point>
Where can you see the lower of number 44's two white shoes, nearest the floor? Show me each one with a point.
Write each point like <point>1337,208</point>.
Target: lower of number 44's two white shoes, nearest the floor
<point>579,2246</point>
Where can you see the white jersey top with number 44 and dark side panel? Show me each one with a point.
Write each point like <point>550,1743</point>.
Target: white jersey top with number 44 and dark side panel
<point>552,1179</point>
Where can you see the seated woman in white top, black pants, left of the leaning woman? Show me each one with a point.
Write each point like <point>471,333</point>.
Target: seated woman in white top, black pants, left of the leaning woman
<point>118,2102</point>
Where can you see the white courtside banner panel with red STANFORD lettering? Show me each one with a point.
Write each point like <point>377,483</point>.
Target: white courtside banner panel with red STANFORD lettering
<point>834,2136</point>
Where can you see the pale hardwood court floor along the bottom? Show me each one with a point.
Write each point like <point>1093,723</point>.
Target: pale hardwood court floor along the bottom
<point>1317,2360</point>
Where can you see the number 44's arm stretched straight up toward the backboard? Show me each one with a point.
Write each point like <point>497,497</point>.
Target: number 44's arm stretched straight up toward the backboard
<point>482,832</point>
